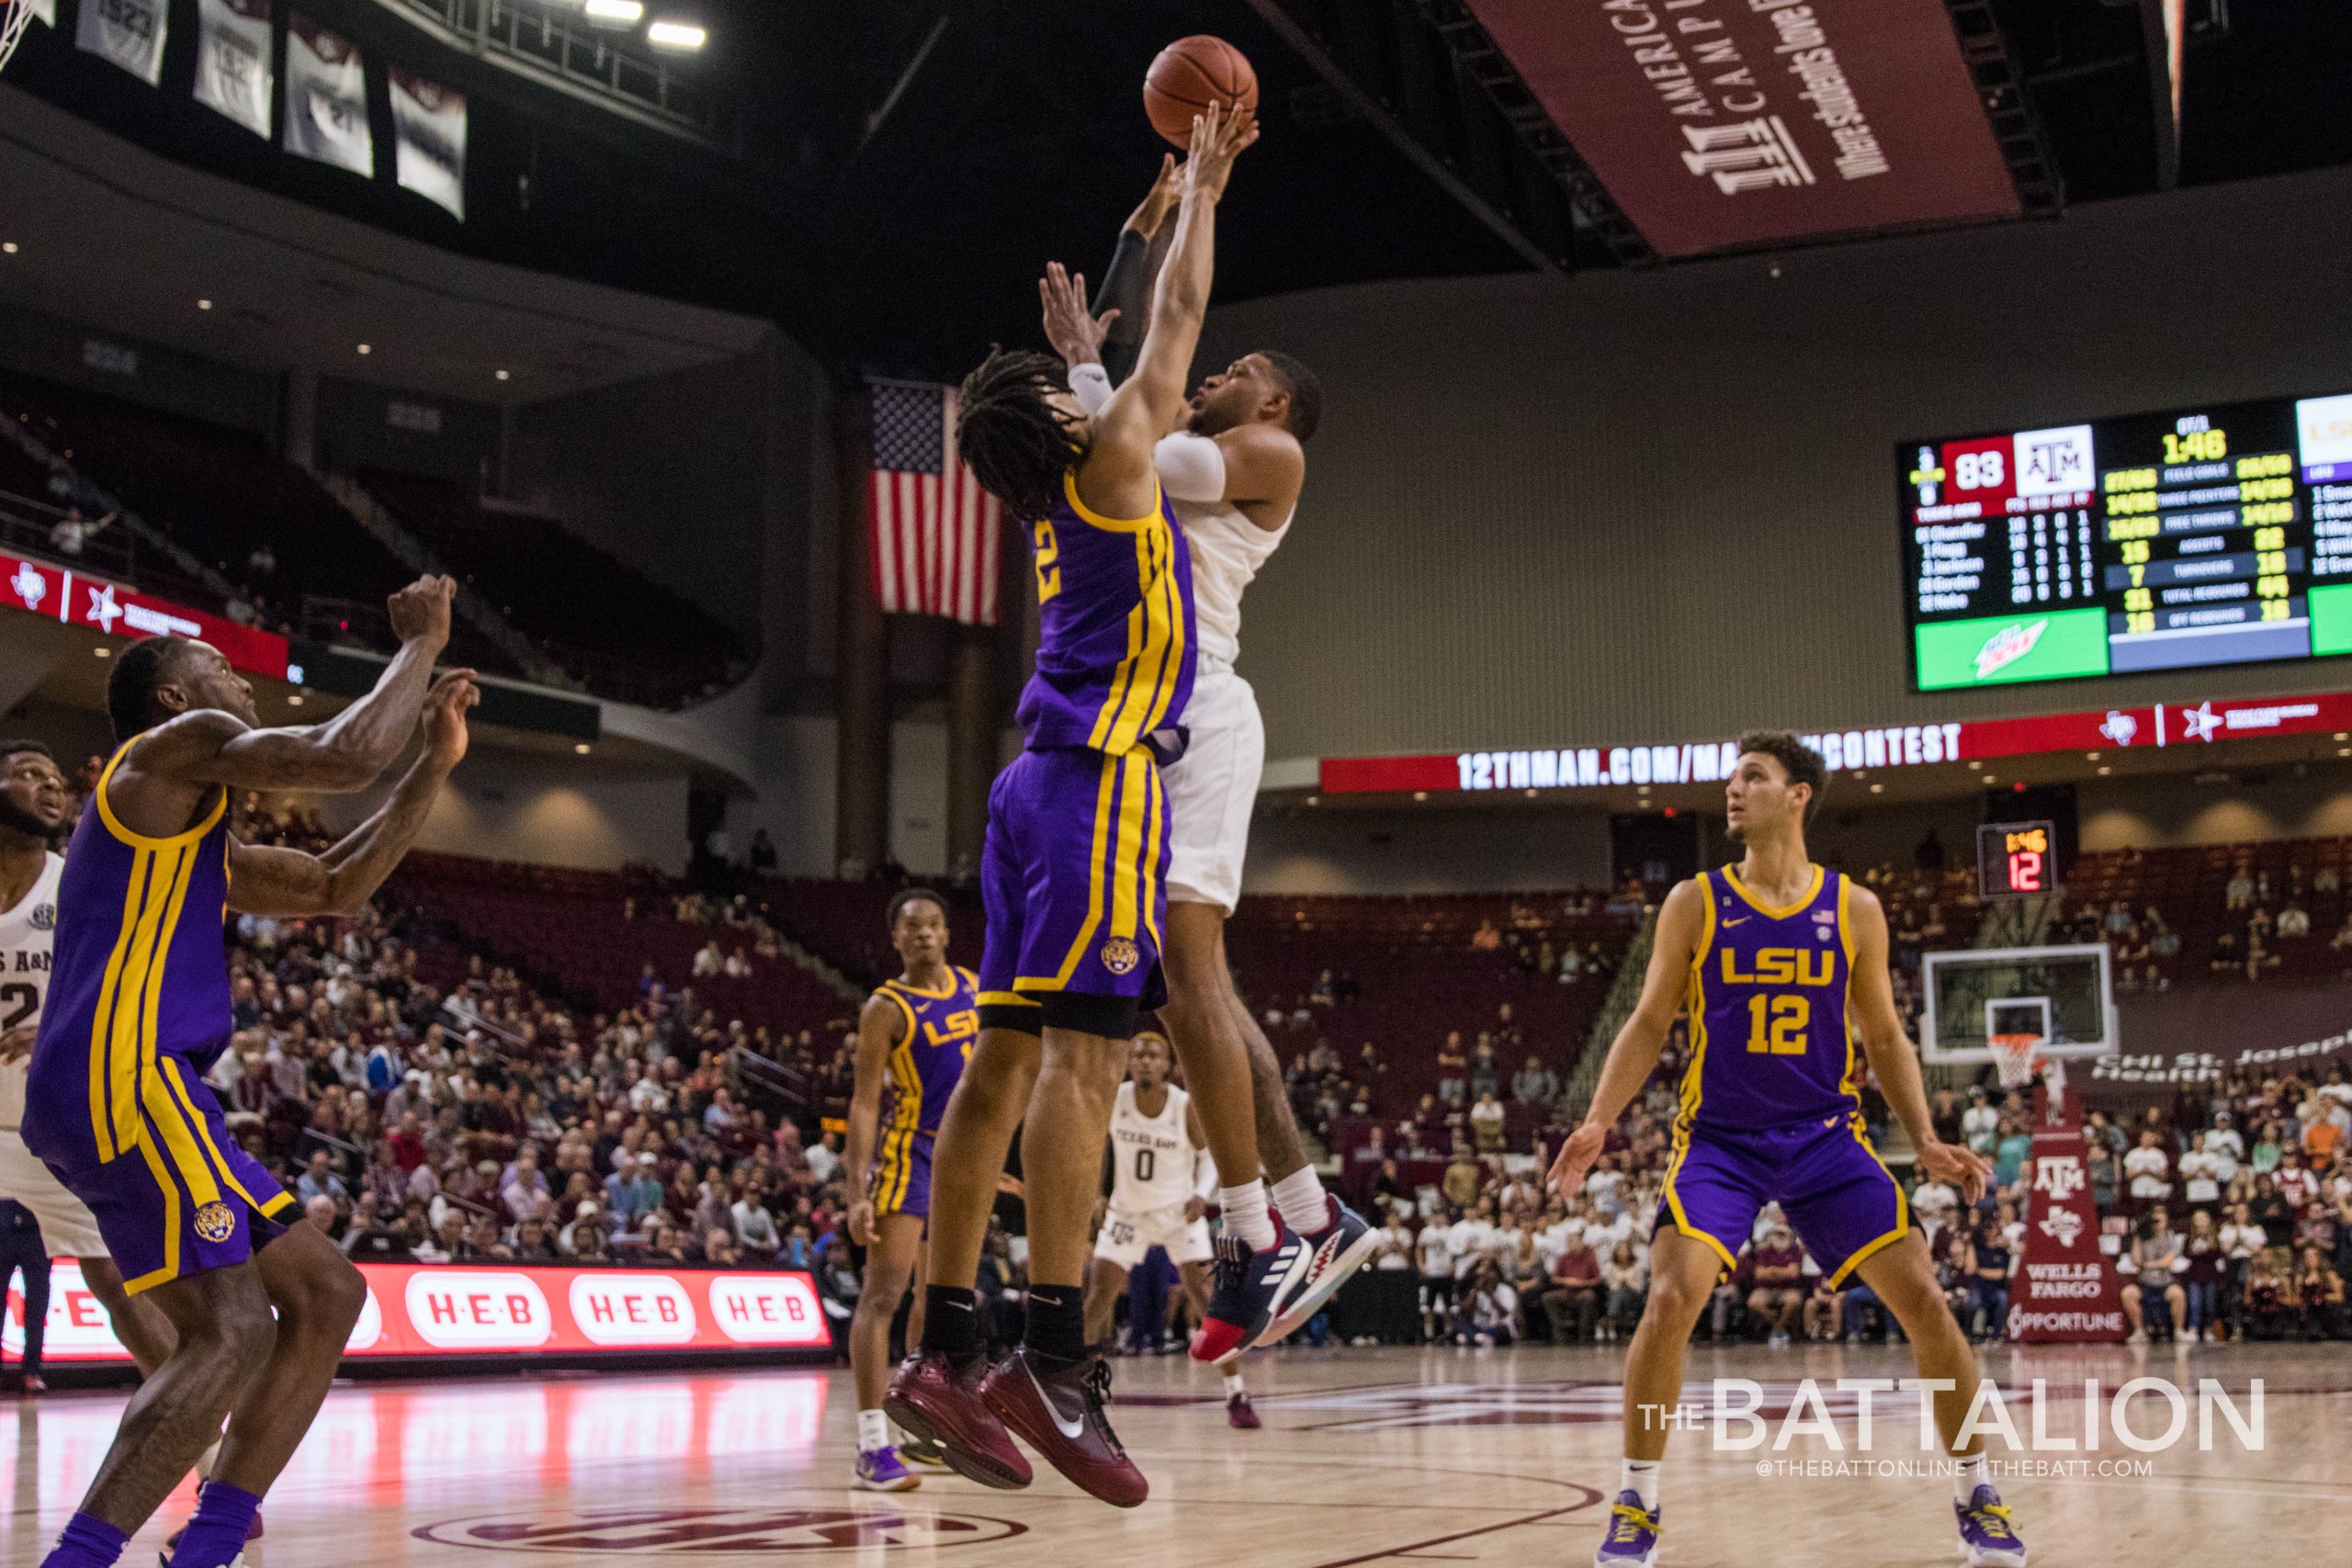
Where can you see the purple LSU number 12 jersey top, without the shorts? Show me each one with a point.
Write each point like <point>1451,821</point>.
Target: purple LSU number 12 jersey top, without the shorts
<point>1770,1033</point>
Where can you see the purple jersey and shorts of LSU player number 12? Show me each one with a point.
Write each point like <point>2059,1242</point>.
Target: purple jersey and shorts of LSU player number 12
<point>1772,1108</point>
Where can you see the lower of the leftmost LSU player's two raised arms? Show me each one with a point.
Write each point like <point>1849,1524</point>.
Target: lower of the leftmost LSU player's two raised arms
<point>288,883</point>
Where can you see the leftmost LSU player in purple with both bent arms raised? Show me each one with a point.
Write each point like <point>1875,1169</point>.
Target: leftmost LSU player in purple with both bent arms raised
<point>116,1104</point>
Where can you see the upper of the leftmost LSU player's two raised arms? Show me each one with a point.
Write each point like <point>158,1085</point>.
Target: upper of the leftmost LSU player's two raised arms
<point>340,756</point>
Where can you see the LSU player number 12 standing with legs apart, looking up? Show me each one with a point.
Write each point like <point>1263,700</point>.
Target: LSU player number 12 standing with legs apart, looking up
<point>1784,972</point>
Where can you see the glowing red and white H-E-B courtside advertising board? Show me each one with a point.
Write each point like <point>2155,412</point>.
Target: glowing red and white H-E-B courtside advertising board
<point>507,1311</point>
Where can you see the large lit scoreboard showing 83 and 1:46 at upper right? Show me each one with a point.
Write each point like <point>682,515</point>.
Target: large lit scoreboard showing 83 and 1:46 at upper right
<point>2156,542</point>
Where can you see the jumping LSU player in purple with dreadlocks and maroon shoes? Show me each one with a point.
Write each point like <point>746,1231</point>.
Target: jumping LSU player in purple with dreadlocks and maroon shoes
<point>1074,878</point>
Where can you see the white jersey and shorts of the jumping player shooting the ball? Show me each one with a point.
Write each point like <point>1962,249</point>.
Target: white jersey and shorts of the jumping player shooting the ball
<point>1215,786</point>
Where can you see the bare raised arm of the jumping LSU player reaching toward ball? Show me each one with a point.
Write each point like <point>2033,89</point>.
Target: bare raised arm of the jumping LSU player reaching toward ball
<point>1118,467</point>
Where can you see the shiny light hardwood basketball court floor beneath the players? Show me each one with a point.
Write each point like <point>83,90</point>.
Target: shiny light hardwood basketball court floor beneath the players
<point>1368,1456</point>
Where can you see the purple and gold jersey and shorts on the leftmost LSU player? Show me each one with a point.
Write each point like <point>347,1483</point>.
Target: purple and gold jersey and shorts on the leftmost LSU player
<point>138,1012</point>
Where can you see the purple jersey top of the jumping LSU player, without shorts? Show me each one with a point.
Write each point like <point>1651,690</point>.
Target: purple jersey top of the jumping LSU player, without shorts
<point>1114,631</point>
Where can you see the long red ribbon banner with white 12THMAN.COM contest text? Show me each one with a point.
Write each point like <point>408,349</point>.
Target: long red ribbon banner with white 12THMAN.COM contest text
<point>1601,768</point>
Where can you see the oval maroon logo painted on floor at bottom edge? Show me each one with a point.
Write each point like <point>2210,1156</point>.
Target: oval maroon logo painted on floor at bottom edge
<point>719,1534</point>
